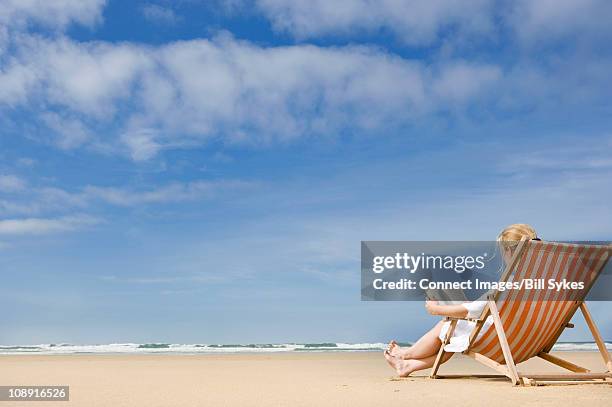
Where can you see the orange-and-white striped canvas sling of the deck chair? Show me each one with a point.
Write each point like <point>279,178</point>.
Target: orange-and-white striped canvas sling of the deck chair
<point>532,318</point>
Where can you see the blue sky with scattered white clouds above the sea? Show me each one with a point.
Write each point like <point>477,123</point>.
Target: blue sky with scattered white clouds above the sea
<point>204,171</point>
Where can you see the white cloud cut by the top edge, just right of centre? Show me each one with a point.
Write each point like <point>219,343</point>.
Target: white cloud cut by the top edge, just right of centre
<point>415,22</point>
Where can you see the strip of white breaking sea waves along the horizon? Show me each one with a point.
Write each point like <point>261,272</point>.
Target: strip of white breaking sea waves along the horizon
<point>153,347</point>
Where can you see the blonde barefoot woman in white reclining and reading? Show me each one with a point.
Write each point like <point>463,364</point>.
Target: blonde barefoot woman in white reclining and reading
<point>423,353</point>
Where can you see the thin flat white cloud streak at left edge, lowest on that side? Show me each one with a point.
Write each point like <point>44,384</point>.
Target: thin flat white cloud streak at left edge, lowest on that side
<point>37,226</point>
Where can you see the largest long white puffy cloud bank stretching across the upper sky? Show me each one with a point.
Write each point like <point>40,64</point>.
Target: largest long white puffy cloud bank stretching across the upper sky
<point>145,99</point>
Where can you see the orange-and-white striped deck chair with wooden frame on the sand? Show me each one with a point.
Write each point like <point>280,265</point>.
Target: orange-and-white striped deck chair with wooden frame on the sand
<point>527,323</point>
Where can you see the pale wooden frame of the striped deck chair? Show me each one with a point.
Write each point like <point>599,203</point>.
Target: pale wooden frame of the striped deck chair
<point>579,374</point>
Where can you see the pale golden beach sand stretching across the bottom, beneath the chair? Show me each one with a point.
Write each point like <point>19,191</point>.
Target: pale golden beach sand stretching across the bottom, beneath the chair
<point>292,379</point>
